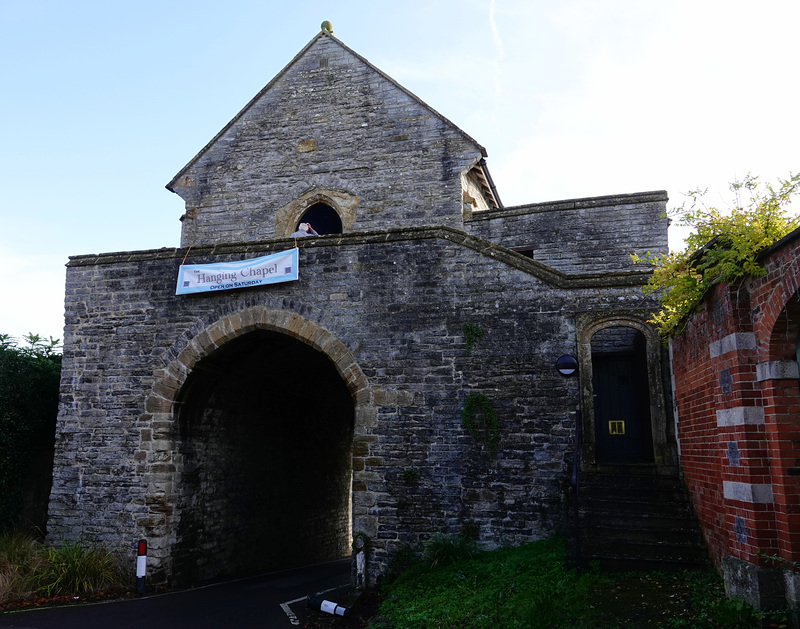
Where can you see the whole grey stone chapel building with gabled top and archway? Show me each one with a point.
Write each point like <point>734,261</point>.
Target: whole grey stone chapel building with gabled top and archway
<point>266,426</point>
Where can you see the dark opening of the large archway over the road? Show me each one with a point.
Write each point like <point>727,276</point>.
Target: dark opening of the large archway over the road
<point>265,435</point>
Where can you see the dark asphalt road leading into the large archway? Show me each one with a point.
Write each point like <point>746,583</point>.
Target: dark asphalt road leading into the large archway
<point>268,601</point>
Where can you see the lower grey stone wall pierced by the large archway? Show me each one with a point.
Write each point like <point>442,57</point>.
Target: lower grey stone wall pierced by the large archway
<point>395,303</point>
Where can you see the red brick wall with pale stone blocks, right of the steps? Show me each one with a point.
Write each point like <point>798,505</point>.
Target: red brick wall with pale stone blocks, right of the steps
<point>738,406</point>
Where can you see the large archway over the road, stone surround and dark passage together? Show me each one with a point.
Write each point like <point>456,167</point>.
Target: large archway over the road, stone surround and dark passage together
<point>250,453</point>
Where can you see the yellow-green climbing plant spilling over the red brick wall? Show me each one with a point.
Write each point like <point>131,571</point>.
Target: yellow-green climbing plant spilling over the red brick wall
<point>722,246</point>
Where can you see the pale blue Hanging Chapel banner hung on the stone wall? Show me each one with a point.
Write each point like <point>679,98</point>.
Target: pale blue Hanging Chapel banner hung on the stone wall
<point>201,278</point>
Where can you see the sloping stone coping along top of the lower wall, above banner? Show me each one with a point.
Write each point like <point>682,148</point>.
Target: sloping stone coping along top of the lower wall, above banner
<point>477,244</point>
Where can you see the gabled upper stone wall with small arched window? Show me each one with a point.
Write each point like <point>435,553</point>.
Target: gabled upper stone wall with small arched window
<point>332,124</point>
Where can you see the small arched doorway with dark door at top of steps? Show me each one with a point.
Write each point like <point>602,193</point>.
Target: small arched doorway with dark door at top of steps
<point>622,422</point>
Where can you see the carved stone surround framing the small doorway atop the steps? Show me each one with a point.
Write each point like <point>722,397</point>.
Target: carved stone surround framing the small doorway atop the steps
<point>637,331</point>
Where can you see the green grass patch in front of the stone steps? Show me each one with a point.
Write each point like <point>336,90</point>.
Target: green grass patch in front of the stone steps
<point>532,587</point>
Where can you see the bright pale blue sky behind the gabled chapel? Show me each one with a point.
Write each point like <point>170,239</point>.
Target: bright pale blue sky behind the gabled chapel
<point>103,102</point>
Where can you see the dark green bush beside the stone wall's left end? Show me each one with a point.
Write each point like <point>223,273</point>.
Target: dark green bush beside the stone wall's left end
<point>29,382</point>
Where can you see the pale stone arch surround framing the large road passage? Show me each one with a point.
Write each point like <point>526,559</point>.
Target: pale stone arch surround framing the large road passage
<point>163,448</point>
